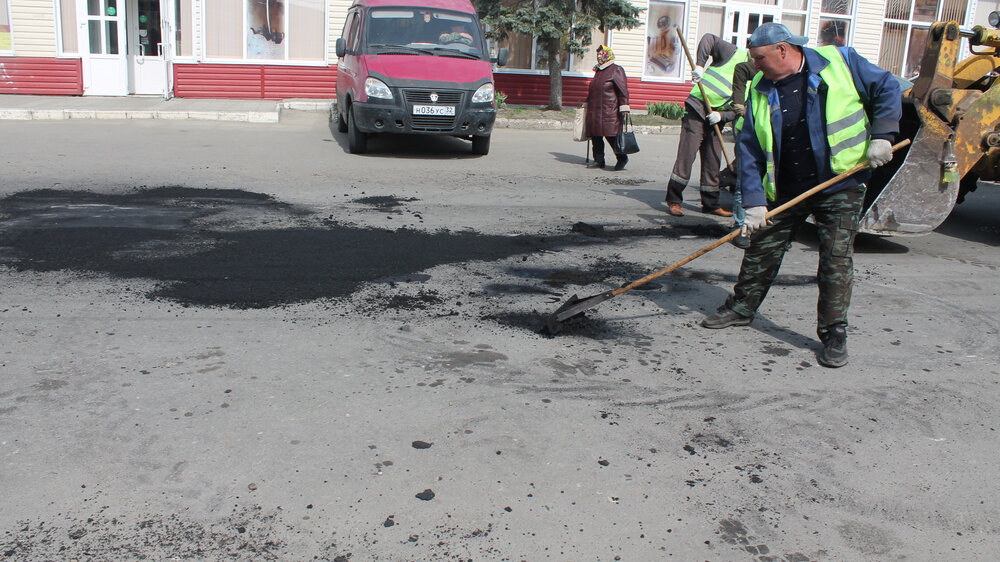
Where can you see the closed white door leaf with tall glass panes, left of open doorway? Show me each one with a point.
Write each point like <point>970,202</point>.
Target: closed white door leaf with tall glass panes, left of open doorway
<point>102,47</point>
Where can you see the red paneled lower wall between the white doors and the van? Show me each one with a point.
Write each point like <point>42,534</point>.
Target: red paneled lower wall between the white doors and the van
<point>240,81</point>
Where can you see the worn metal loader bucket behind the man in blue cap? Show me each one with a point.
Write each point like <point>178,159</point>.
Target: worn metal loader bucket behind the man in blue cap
<point>912,195</point>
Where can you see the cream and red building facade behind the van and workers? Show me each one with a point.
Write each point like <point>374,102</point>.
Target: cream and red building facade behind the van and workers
<point>278,49</point>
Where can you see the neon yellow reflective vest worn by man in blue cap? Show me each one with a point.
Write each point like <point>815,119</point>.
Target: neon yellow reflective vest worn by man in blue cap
<point>847,122</point>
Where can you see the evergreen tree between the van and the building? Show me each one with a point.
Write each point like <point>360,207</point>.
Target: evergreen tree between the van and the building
<point>561,26</point>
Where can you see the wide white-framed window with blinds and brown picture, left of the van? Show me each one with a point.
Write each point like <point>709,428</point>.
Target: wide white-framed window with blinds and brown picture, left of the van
<point>276,30</point>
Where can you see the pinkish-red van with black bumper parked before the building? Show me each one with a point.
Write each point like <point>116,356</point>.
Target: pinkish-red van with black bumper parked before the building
<point>415,68</point>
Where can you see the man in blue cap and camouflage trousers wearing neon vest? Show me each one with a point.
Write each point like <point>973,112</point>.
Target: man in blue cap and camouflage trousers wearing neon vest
<point>811,114</point>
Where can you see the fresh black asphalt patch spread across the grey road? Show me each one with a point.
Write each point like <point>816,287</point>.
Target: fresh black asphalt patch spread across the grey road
<point>233,248</point>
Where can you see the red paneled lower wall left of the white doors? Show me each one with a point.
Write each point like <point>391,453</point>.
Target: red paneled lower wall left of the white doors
<point>41,76</point>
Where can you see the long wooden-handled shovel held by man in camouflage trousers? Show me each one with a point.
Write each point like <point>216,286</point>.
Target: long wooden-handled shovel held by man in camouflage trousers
<point>575,306</point>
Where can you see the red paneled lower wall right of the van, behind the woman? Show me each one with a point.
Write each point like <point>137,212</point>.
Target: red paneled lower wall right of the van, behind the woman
<point>533,89</point>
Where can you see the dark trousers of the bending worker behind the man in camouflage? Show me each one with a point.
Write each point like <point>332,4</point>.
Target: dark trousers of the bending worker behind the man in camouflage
<point>697,137</point>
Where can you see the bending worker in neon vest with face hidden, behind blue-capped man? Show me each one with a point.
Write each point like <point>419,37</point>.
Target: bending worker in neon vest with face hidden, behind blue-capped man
<point>697,134</point>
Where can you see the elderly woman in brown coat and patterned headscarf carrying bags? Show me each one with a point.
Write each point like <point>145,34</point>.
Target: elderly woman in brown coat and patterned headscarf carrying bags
<point>607,99</point>
